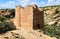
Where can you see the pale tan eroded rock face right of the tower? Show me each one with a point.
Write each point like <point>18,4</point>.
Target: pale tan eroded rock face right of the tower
<point>52,16</point>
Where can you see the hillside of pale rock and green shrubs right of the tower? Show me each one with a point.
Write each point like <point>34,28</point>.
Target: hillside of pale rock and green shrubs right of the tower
<point>52,20</point>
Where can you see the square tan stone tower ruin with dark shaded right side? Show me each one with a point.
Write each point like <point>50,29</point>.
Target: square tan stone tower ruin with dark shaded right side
<point>29,17</point>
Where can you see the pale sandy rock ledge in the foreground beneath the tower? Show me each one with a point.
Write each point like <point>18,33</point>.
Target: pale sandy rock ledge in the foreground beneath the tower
<point>26,34</point>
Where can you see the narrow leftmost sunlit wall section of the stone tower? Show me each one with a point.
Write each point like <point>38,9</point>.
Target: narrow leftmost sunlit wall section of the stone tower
<point>17,19</point>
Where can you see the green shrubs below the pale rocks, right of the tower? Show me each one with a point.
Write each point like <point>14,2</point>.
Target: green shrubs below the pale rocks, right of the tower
<point>52,30</point>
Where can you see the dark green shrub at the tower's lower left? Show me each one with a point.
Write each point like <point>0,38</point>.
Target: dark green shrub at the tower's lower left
<point>6,26</point>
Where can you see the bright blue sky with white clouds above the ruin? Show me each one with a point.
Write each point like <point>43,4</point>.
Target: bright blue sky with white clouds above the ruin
<point>39,3</point>
